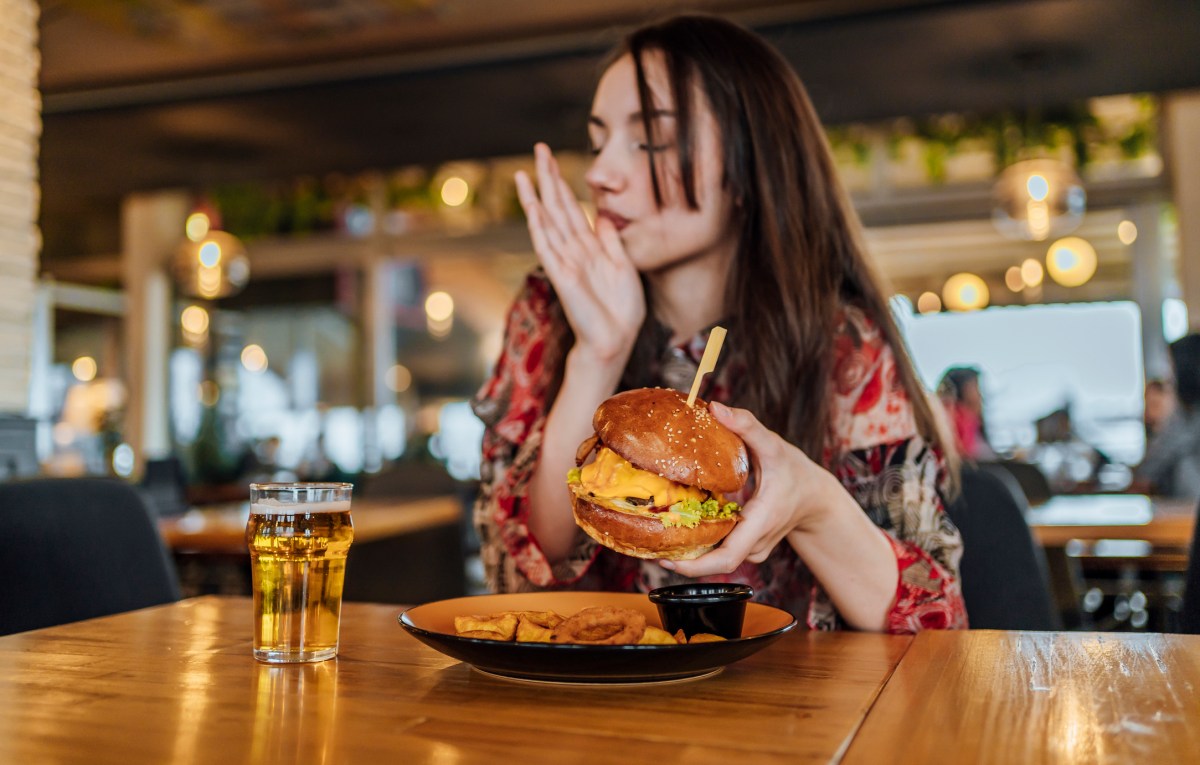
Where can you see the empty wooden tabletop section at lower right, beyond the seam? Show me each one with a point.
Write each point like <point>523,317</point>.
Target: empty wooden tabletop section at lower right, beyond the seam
<point>1039,697</point>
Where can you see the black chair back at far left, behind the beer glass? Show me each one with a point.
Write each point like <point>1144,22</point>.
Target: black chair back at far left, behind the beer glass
<point>79,549</point>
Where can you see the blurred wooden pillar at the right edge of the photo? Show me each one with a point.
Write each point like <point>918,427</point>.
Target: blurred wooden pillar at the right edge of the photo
<point>1183,137</point>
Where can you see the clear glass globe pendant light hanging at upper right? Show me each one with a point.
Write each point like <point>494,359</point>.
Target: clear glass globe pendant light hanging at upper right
<point>1036,200</point>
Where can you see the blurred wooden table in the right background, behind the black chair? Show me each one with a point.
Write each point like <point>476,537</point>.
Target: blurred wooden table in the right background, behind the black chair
<point>1163,523</point>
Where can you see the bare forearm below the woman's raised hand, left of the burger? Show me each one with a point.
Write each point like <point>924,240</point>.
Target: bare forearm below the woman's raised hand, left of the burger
<point>587,382</point>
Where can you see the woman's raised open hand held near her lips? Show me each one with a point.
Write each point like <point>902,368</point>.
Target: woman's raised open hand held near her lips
<point>596,281</point>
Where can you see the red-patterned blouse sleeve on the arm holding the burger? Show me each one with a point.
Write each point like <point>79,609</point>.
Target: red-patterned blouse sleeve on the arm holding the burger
<point>899,480</point>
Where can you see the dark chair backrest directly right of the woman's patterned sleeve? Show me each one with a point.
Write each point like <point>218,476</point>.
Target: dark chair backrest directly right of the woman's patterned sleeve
<point>1005,581</point>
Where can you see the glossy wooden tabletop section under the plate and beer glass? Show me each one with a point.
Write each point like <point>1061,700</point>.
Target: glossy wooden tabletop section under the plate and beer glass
<point>177,684</point>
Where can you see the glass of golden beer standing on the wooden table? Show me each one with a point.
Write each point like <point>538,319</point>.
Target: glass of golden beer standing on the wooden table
<point>299,537</point>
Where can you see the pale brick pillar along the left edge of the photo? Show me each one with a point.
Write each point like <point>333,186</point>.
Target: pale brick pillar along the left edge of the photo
<point>21,129</point>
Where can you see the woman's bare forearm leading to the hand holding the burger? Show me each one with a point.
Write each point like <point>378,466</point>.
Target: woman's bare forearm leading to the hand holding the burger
<point>849,556</point>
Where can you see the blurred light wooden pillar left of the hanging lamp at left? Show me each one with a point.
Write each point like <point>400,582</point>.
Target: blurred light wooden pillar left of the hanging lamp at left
<point>152,232</point>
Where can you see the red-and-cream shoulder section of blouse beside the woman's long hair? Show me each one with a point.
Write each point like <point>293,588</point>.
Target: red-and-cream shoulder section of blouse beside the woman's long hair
<point>871,405</point>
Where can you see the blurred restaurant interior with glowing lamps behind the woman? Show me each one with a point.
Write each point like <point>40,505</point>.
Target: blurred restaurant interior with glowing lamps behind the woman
<point>250,240</point>
